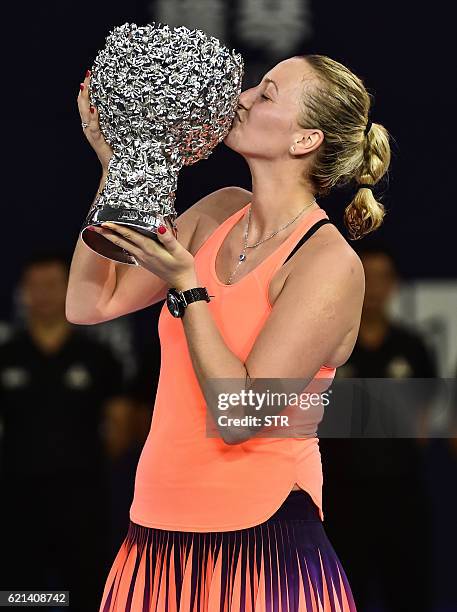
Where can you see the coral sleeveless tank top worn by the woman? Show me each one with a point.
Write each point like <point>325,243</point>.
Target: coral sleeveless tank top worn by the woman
<point>187,481</point>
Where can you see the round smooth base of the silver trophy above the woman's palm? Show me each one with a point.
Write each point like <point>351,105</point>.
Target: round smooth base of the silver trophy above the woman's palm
<point>143,222</point>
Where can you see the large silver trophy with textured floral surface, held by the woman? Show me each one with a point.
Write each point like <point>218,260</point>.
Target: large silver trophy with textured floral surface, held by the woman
<point>166,97</point>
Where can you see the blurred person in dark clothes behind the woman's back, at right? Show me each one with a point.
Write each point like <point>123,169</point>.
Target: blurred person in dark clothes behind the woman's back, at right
<point>385,476</point>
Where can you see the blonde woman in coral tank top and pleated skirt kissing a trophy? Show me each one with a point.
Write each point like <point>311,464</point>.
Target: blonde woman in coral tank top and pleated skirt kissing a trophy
<point>234,522</point>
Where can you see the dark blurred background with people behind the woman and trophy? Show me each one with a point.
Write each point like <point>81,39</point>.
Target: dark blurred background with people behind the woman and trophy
<point>65,510</point>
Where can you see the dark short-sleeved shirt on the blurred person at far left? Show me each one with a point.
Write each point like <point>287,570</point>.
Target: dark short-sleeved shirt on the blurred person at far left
<point>51,404</point>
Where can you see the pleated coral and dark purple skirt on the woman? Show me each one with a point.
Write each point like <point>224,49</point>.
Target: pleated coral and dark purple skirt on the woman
<point>286,564</point>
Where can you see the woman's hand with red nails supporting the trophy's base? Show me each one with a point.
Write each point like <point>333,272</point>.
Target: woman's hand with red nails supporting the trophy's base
<point>167,258</point>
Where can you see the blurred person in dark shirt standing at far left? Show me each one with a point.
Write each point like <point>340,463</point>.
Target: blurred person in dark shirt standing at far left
<point>54,382</point>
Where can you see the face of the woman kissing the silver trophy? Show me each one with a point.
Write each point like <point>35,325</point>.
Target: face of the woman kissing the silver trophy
<point>267,126</point>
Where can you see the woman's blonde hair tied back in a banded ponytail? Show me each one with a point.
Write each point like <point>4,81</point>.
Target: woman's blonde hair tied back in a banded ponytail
<point>337,103</point>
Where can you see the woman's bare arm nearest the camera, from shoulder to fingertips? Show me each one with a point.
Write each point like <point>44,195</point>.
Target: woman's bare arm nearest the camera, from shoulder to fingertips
<point>313,313</point>
